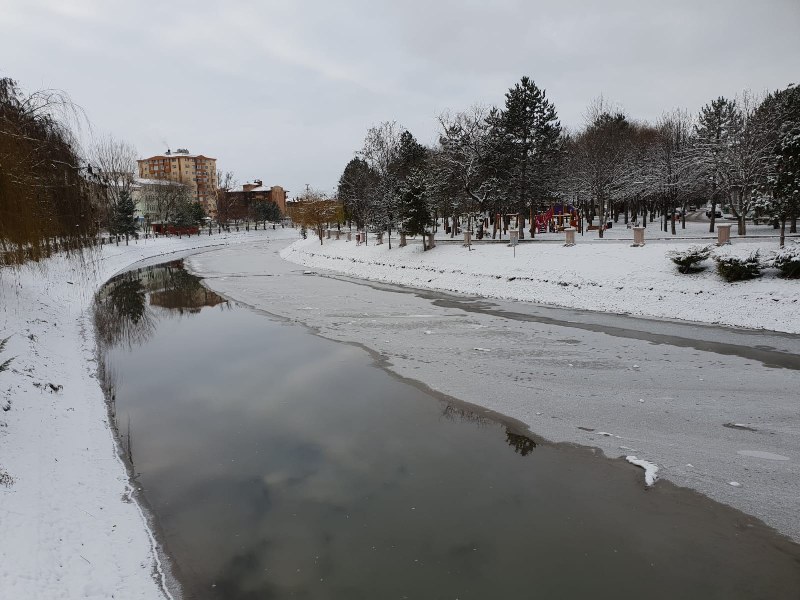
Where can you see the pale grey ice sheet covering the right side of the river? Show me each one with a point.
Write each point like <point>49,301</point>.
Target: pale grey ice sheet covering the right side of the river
<point>711,406</point>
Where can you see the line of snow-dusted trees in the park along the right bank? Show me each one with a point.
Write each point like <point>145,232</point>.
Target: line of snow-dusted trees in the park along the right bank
<point>743,154</point>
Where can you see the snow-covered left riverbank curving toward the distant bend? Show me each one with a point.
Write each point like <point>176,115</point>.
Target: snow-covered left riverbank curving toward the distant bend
<point>70,526</point>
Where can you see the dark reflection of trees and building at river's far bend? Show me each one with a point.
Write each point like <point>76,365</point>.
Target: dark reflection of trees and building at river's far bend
<point>122,313</point>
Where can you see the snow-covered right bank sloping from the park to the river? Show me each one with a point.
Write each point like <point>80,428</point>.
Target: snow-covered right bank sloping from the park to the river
<point>602,275</point>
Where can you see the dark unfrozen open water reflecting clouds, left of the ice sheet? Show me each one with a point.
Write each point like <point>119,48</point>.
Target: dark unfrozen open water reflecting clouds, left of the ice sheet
<point>281,465</point>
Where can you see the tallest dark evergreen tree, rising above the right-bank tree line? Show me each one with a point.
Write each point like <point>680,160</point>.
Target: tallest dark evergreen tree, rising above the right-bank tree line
<point>527,135</point>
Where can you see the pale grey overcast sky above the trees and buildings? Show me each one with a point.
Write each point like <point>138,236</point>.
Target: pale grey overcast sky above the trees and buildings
<point>285,91</point>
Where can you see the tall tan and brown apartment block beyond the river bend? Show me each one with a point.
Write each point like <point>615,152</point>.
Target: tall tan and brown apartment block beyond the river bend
<point>196,171</point>
